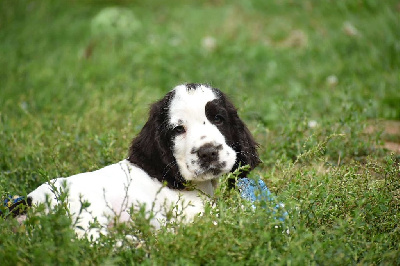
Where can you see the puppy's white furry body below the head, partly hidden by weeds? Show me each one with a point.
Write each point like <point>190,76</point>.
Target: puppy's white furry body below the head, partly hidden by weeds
<point>113,189</point>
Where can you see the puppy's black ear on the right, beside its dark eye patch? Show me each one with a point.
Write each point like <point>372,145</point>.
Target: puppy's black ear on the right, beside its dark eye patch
<point>243,142</point>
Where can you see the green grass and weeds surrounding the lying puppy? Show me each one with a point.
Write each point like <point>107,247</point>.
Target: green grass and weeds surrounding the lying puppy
<point>309,78</point>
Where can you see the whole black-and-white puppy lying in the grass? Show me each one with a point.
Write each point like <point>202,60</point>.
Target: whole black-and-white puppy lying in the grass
<point>193,135</point>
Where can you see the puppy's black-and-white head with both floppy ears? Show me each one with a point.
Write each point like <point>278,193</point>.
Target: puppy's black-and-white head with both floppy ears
<point>193,133</point>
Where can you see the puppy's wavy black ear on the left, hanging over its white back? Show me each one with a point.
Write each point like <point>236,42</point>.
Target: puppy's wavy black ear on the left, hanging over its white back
<point>151,149</point>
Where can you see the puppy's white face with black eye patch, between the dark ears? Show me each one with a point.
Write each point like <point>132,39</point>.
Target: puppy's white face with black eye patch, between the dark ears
<point>200,133</point>
